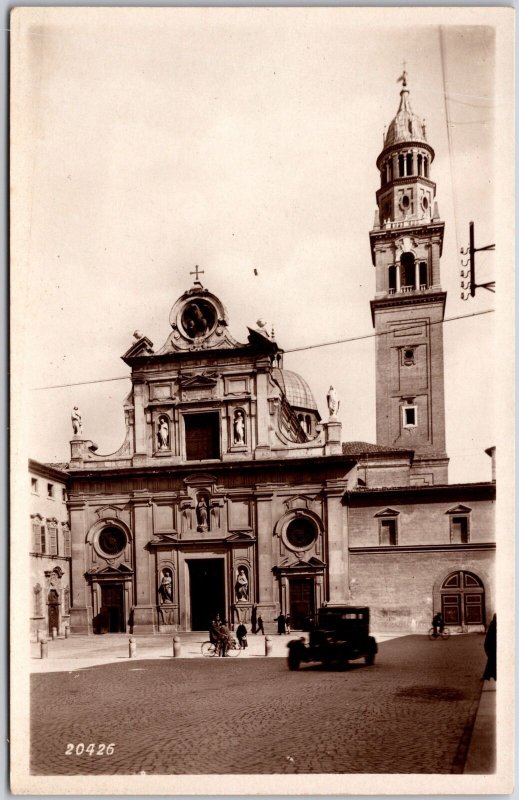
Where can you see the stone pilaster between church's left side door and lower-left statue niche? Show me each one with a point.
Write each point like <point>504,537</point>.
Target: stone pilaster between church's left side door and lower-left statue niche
<point>144,598</point>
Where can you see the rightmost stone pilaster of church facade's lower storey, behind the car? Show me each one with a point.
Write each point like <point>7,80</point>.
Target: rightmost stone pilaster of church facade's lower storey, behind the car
<point>338,580</point>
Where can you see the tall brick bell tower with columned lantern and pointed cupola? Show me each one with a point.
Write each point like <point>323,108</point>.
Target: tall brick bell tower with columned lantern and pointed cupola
<point>408,309</point>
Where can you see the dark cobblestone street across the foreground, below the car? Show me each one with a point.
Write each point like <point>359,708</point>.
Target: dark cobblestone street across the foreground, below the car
<point>412,712</point>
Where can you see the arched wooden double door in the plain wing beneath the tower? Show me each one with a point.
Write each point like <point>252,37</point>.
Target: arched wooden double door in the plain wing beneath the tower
<point>463,599</point>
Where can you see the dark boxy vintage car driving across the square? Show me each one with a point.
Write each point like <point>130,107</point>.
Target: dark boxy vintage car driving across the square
<point>340,634</point>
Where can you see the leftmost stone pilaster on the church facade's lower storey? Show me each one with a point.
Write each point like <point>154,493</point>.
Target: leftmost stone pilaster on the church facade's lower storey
<point>80,595</point>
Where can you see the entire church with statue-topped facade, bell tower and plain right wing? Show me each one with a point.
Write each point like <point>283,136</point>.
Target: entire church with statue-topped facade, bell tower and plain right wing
<point>229,493</point>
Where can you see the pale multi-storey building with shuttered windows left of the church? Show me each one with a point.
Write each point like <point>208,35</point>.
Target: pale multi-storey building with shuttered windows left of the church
<point>50,548</point>
